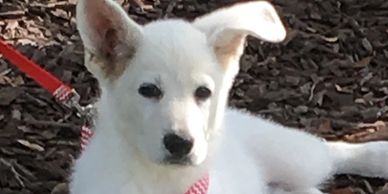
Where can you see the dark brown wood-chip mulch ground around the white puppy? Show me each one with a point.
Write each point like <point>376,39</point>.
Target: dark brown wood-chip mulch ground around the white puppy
<point>330,77</point>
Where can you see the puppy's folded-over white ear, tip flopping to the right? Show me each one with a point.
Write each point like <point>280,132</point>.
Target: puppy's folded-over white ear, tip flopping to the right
<point>227,28</point>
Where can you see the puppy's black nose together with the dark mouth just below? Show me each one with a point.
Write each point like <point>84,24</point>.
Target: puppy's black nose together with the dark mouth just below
<point>178,147</point>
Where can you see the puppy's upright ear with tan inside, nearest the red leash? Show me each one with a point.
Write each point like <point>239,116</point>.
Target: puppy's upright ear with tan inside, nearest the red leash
<point>109,36</point>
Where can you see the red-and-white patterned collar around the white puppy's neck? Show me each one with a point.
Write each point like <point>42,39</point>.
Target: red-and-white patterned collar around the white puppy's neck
<point>199,187</point>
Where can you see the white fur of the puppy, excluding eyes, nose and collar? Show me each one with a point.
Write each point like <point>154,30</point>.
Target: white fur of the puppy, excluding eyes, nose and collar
<point>242,153</point>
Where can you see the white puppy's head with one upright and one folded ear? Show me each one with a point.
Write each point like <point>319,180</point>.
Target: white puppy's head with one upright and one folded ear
<point>166,84</point>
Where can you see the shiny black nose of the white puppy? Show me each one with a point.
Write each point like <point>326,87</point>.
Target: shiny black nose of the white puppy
<point>177,145</point>
